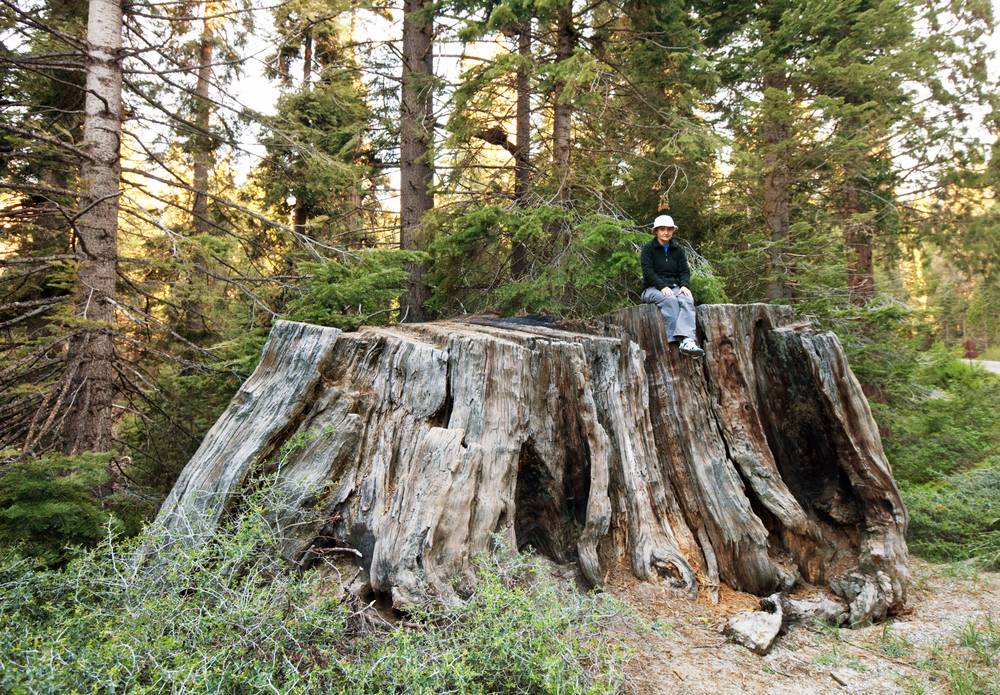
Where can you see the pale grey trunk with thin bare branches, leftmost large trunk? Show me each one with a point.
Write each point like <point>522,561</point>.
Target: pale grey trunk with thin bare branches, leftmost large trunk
<point>86,393</point>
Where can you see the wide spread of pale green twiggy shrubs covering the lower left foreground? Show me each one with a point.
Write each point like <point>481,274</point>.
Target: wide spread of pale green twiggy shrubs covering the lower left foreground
<point>229,617</point>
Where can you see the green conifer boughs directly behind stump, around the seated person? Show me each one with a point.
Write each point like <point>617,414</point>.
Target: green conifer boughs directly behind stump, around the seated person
<point>577,264</point>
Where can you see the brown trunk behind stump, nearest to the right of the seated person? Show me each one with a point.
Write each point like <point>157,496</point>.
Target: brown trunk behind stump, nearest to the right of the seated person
<point>777,178</point>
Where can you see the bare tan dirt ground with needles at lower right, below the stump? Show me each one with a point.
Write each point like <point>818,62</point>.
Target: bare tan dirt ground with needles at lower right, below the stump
<point>948,641</point>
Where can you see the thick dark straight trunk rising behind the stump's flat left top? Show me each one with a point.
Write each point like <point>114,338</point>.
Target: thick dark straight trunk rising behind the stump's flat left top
<point>416,140</point>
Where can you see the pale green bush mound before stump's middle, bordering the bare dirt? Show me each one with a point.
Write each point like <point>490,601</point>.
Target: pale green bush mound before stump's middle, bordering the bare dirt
<point>517,633</point>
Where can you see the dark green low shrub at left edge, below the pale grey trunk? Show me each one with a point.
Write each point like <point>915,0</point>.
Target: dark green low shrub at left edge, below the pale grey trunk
<point>49,503</point>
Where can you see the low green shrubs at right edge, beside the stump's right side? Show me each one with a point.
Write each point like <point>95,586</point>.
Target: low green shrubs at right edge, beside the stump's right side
<point>940,423</point>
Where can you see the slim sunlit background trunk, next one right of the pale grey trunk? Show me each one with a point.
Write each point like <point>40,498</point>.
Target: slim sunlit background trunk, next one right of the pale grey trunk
<point>204,155</point>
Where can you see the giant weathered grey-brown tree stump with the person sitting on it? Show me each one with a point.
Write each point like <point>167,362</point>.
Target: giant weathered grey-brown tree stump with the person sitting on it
<point>597,443</point>
